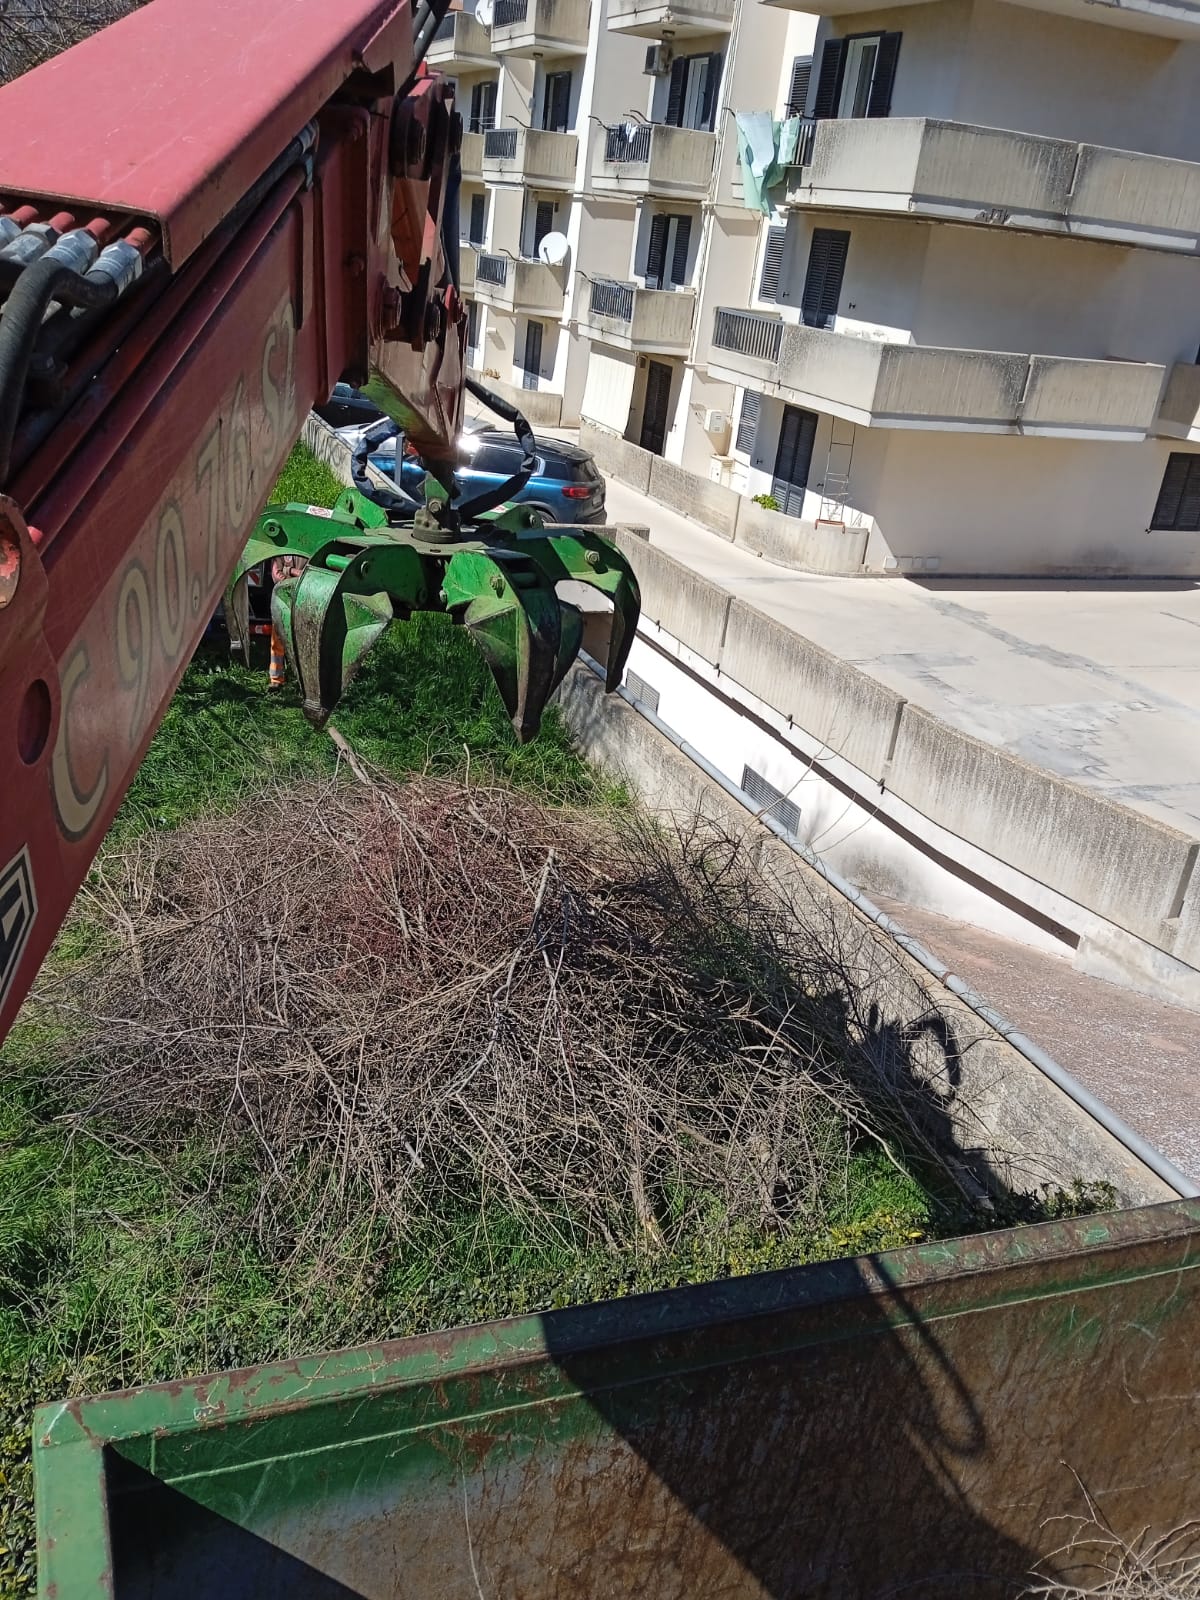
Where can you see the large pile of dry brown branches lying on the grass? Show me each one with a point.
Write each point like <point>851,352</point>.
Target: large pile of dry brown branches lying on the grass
<point>436,994</point>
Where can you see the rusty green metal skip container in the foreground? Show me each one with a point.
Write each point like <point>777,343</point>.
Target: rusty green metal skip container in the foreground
<point>921,1423</point>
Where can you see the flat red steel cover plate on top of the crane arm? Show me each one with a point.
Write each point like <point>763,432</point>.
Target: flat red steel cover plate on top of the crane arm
<point>175,111</point>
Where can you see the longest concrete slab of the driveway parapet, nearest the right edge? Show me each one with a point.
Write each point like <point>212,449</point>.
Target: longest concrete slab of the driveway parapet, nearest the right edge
<point>1118,863</point>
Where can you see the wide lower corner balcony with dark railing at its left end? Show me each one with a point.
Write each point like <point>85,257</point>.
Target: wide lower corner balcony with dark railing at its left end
<point>921,386</point>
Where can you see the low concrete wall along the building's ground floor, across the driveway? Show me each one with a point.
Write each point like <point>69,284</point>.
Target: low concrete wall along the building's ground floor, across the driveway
<point>769,534</point>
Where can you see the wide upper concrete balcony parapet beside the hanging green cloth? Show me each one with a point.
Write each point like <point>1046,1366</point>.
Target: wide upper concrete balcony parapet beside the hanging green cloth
<point>962,174</point>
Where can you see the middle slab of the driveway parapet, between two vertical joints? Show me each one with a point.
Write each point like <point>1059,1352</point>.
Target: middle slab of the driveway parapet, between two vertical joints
<point>836,703</point>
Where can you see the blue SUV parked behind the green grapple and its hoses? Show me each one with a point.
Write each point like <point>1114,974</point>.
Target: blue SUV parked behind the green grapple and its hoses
<point>566,486</point>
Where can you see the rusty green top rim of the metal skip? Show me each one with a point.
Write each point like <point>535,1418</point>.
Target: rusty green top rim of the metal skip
<point>684,1330</point>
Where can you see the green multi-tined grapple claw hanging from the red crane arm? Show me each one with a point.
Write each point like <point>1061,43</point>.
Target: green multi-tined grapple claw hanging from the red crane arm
<point>362,574</point>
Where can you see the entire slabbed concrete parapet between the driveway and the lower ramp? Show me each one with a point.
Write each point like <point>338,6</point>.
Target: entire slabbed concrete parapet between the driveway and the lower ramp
<point>1127,870</point>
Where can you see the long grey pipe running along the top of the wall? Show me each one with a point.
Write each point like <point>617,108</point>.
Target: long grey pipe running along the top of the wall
<point>1185,1186</point>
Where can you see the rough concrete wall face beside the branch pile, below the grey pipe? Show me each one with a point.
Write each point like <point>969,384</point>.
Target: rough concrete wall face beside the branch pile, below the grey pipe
<point>1004,1111</point>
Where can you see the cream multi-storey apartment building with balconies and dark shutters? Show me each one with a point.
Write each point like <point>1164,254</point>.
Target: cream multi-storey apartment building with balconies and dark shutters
<point>966,338</point>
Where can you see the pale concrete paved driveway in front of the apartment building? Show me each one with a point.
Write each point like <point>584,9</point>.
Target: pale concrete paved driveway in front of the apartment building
<point>1098,682</point>
